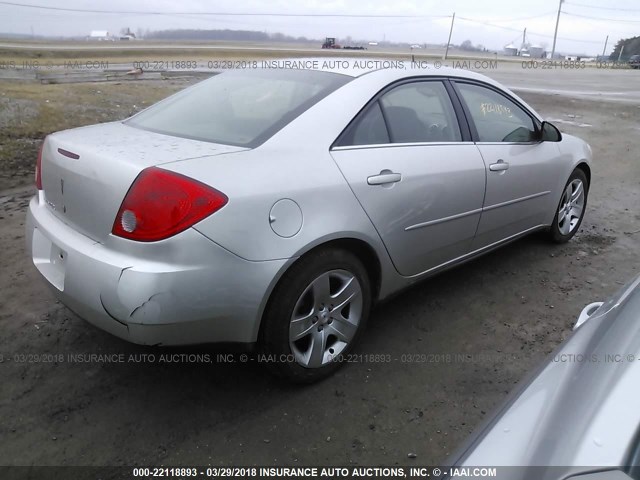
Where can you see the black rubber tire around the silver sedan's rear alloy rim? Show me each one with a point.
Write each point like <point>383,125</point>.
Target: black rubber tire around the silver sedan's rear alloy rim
<point>277,351</point>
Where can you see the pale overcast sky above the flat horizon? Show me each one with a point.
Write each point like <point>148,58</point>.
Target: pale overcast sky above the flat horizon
<point>492,23</point>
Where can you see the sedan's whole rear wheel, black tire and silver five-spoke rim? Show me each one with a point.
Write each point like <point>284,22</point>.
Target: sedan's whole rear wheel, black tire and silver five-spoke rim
<point>316,315</point>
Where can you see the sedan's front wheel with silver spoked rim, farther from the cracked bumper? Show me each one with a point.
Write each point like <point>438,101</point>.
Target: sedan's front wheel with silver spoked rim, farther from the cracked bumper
<point>570,212</point>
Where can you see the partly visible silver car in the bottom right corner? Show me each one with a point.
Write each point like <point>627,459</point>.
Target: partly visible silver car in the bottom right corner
<point>578,415</point>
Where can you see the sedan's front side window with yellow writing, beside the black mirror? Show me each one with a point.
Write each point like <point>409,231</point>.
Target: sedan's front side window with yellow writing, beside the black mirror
<point>497,118</point>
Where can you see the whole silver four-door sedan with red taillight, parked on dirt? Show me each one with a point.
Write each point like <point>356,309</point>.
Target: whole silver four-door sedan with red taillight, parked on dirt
<point>277,206</point>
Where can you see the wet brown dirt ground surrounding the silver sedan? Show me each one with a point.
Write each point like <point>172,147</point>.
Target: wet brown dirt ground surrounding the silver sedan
<point>486,323</point>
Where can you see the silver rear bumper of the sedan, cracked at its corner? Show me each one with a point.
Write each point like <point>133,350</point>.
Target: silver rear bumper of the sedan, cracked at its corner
<point>183,290</point>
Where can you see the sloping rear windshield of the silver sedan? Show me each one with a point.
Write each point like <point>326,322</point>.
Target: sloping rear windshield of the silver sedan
<point>241,107</point>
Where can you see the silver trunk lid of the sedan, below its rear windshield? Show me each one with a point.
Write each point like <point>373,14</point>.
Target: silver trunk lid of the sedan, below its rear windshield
<point>86,172</point>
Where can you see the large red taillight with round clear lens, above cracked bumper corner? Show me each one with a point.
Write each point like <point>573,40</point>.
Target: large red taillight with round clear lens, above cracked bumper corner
<point>160,204</point>
